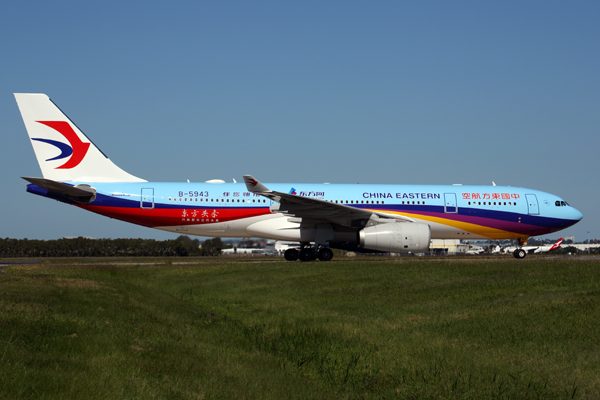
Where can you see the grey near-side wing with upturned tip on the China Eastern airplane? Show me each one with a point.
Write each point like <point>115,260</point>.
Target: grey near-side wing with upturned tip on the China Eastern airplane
<point>317,211</point>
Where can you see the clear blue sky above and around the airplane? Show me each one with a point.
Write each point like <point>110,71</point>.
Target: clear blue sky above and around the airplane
<point>338,91</point>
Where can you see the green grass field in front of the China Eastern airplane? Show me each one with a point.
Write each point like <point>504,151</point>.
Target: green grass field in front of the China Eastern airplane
<point>253,328</point>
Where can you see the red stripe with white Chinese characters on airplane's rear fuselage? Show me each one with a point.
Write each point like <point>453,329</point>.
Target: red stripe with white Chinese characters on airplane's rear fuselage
<point>173,216</point>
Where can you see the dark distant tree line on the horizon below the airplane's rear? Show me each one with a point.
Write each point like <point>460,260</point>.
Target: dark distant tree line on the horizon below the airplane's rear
<point>84,247</point>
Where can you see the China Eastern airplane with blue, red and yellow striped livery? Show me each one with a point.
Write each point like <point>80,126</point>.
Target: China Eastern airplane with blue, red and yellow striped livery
<point>357,217</point>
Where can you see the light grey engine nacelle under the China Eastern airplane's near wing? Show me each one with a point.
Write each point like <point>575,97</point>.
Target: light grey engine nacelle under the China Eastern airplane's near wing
<point>396,237</point>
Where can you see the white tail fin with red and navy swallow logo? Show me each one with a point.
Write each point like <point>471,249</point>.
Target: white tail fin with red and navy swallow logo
<point>63,152</point>
